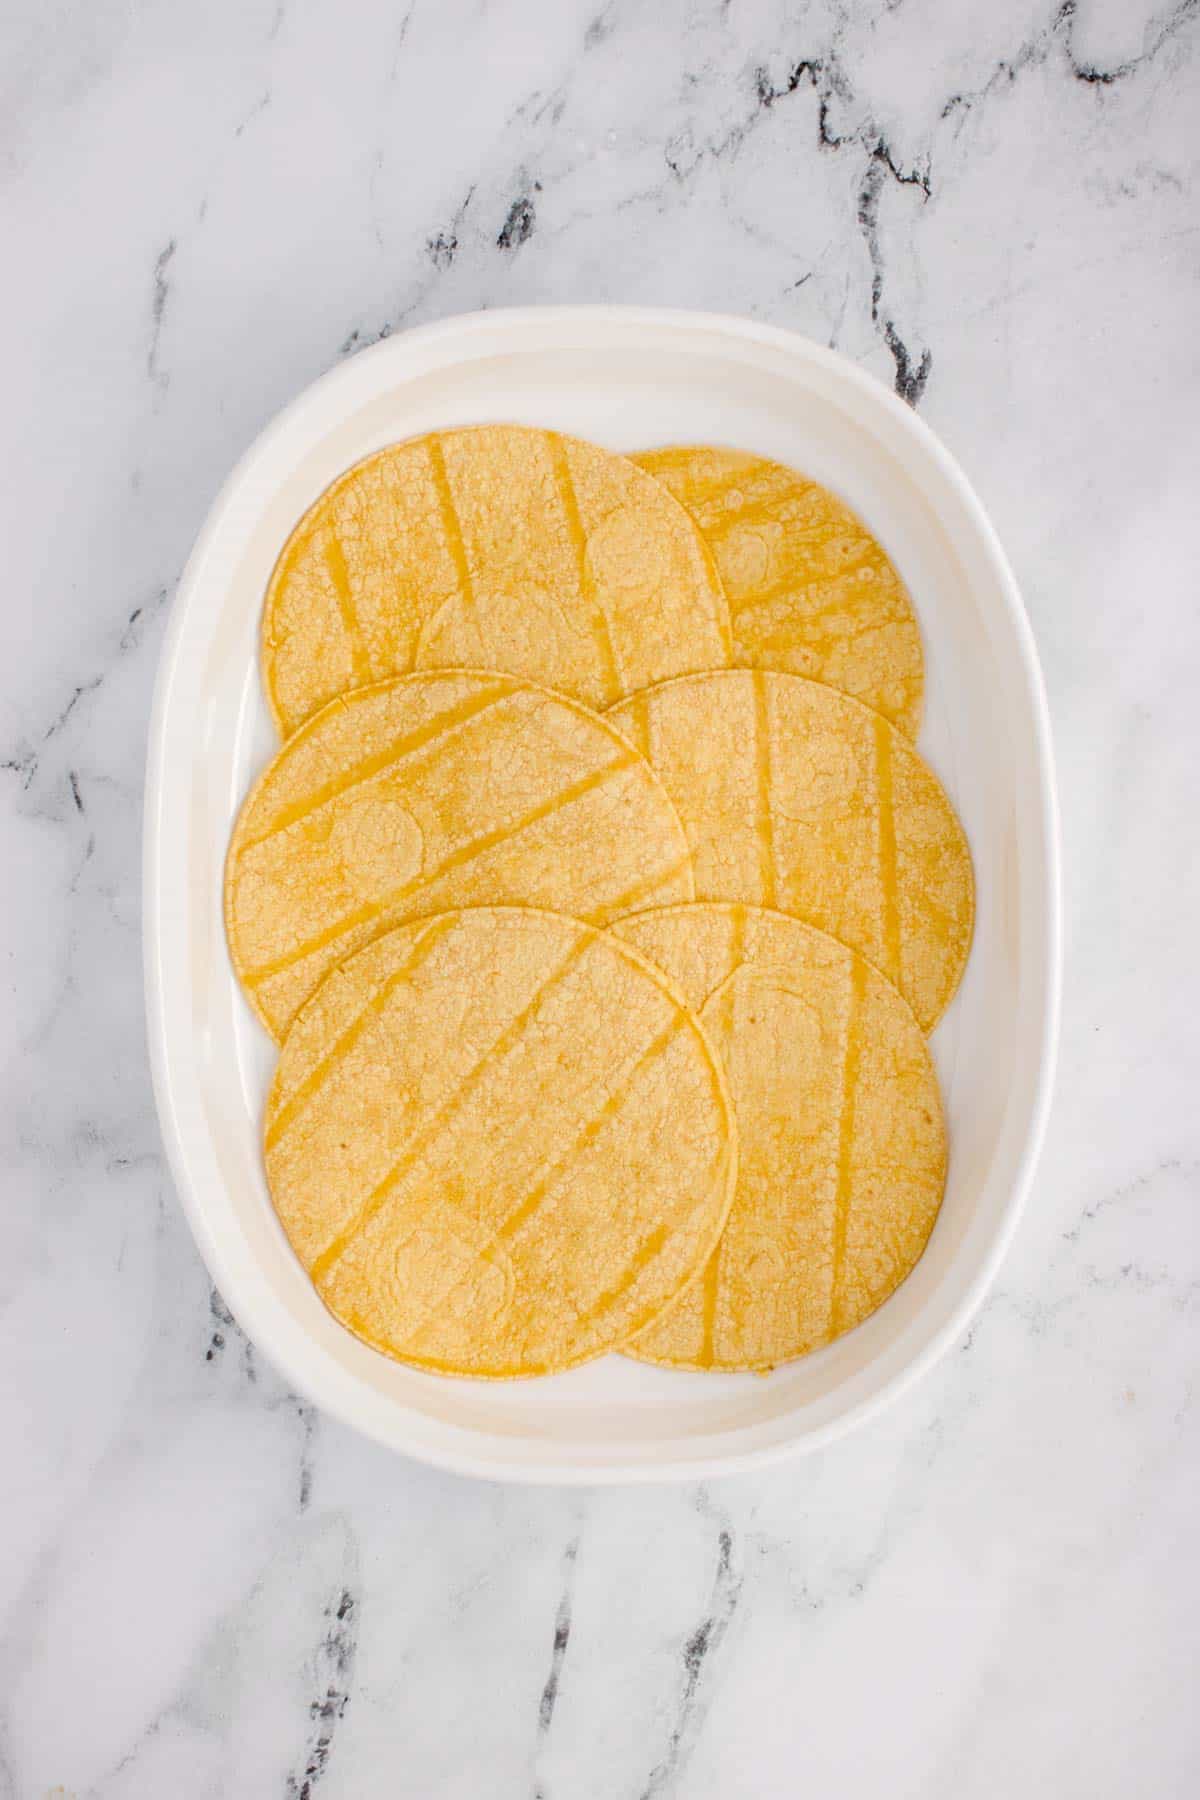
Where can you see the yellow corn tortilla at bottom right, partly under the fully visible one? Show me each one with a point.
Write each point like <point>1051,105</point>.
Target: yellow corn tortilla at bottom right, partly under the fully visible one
<point>841,1138</point>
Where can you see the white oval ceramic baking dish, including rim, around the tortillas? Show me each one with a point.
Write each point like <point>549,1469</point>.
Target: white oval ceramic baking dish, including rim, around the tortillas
<point>629,379</point>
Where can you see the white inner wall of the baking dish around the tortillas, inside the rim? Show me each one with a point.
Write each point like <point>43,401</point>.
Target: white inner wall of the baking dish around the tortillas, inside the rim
<point>631,399</point>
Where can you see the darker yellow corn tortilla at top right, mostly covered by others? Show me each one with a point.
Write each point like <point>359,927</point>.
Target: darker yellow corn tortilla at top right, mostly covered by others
<point>810,591</point>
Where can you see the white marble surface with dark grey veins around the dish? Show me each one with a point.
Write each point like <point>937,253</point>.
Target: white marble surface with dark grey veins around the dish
<point>206,1588</point>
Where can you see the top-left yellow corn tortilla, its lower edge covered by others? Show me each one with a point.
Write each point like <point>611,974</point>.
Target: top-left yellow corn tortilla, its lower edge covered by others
<point>496,546</point>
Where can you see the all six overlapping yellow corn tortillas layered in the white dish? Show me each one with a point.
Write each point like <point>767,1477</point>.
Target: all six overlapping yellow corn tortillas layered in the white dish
<point>600,906</point>
